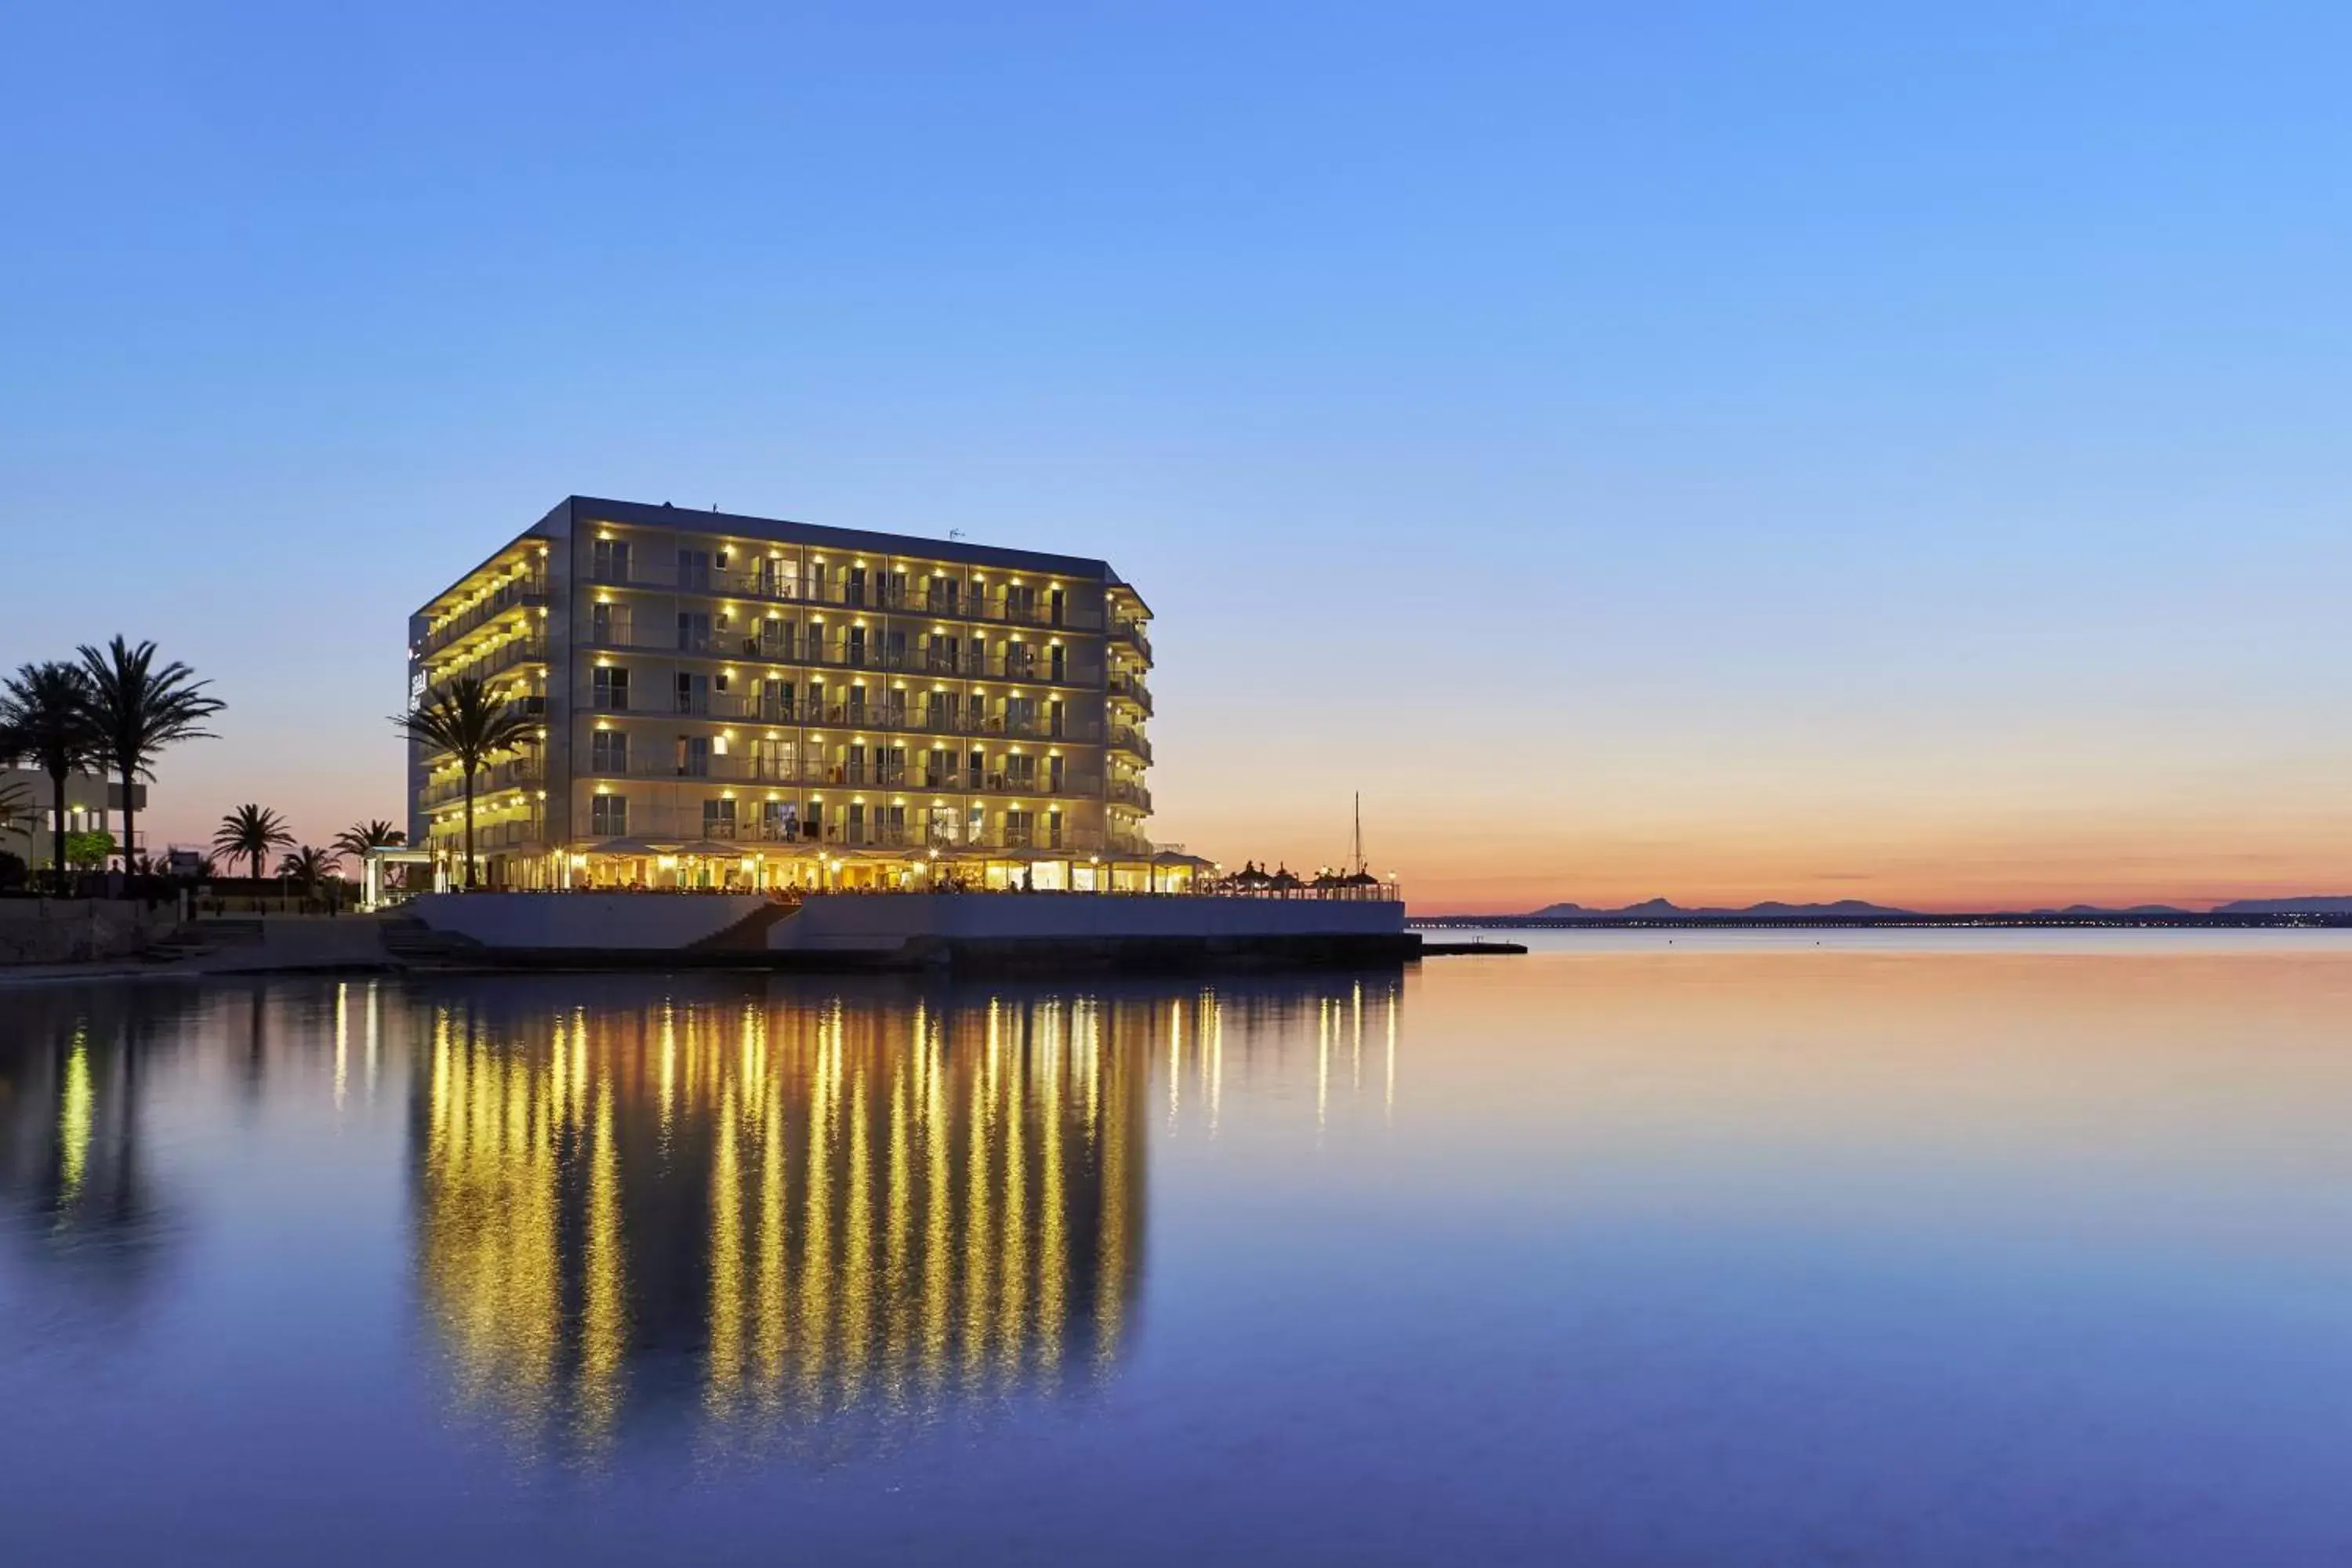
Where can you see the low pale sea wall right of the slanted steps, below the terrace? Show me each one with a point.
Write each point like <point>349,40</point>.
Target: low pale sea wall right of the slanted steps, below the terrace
<point>850,923</point>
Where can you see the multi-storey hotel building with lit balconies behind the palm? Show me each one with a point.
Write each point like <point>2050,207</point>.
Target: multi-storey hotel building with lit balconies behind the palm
<point>751,704</point>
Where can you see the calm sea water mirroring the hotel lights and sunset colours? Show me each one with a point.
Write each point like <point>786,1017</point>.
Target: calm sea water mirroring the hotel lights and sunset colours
<point>1643,1249</point>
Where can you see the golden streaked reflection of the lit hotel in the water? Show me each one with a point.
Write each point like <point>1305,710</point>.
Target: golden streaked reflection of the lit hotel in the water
<point>813,1207</point>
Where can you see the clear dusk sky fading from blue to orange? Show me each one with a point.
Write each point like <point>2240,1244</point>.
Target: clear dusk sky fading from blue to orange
<point>1711,453</point>
